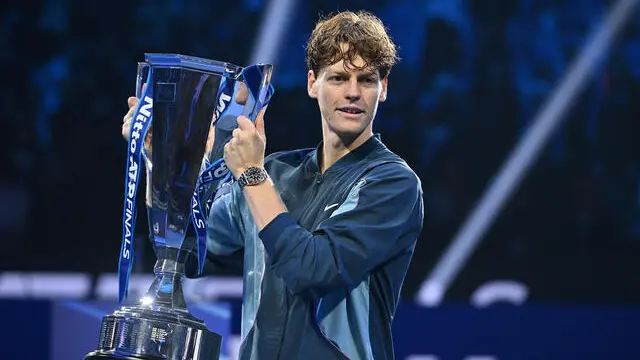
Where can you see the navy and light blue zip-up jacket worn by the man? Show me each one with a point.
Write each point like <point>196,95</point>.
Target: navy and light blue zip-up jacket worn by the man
<point>322,281</point>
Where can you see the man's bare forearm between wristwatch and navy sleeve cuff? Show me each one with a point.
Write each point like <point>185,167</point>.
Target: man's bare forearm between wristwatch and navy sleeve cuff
<point>264,203</point>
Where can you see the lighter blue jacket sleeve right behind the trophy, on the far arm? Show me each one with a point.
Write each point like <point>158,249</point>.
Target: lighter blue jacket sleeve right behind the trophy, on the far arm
<point>225,242</point>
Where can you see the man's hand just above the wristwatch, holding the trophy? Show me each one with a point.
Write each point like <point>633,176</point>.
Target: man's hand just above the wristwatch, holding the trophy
<point>246,147</point>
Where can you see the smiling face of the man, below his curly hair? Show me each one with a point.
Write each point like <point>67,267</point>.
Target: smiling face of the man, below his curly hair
<point>348,99</point>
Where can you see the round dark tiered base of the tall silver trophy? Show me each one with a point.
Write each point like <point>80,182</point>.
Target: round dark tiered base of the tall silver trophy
<point>135,333</point>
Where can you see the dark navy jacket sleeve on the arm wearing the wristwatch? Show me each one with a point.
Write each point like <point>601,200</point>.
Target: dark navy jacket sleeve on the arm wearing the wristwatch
<point>380,219</point>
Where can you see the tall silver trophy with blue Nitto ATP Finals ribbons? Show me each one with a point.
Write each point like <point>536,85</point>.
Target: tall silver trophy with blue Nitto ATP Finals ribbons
<point>190,106</point>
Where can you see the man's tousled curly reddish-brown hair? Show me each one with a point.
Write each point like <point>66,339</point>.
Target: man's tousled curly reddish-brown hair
<point>364,34</point>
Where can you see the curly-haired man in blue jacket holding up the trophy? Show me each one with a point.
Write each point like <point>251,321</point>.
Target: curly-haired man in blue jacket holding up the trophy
<point>328,233</point>
